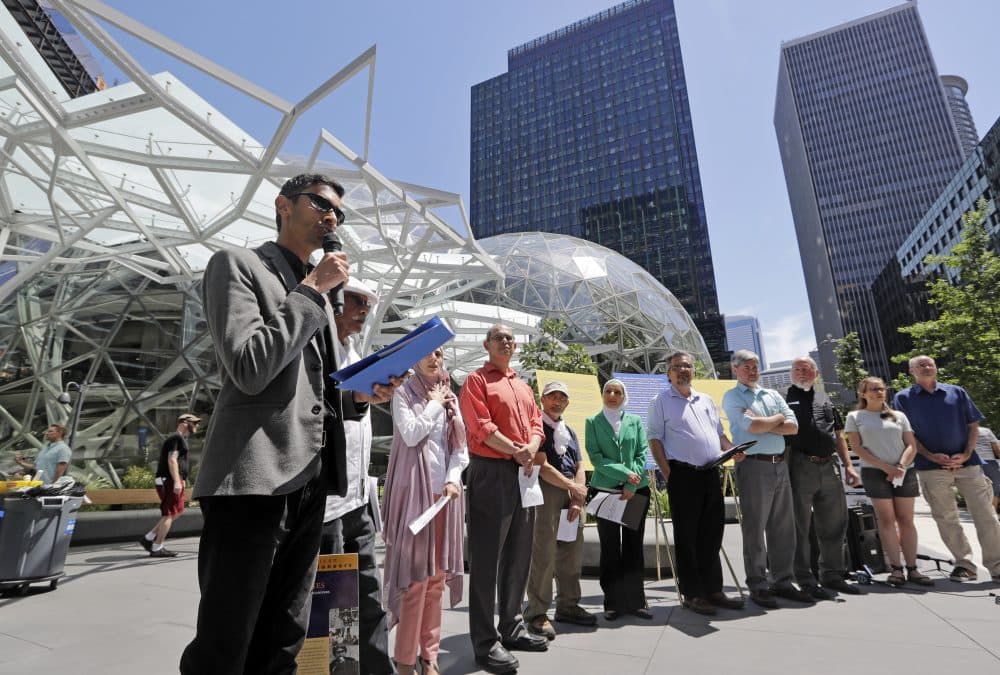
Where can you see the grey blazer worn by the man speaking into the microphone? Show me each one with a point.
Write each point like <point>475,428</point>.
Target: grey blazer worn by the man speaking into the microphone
<point>265,436</point>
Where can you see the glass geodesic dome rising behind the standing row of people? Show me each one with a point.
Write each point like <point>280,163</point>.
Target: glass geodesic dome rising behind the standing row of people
<point>624,317</point>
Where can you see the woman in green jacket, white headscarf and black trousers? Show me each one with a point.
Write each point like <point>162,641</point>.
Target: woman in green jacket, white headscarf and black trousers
<point>616,443</point>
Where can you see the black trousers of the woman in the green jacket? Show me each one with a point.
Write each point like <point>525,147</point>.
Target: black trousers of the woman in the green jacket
<point>622,563</point>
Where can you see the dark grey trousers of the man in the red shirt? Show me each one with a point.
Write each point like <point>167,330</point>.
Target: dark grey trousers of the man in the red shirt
<point>500,532</point>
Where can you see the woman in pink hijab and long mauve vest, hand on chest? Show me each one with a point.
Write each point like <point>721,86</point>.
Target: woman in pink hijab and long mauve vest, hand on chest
<point>428,455</point>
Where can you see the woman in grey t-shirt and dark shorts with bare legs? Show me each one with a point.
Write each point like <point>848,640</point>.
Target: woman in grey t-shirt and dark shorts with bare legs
<point>884,441</point>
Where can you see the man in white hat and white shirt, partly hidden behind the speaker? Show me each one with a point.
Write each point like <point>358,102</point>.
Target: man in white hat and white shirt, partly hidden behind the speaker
<point>349,521</point>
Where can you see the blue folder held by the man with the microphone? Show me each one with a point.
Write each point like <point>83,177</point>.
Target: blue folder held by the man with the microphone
<point>394,359</point>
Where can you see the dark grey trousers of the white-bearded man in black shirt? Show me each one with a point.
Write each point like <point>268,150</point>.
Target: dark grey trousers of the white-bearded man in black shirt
<point>818,498</point>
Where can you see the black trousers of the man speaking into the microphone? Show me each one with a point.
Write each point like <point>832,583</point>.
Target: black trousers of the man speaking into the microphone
<point>256,566</point>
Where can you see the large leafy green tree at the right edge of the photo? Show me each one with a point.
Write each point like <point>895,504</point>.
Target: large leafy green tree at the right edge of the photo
<point>965,338</point>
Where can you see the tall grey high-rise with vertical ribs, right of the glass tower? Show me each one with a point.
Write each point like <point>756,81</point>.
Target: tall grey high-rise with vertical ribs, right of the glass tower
<point>867,141</point>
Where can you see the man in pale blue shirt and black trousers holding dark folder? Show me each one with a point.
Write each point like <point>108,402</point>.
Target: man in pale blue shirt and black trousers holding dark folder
<point>685,433</point>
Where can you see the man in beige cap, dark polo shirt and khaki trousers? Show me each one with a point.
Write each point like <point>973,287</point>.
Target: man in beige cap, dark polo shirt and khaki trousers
<point>564,486</point>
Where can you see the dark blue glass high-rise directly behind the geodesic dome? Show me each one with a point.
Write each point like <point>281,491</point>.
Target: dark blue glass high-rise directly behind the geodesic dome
<point>589,133</point>
